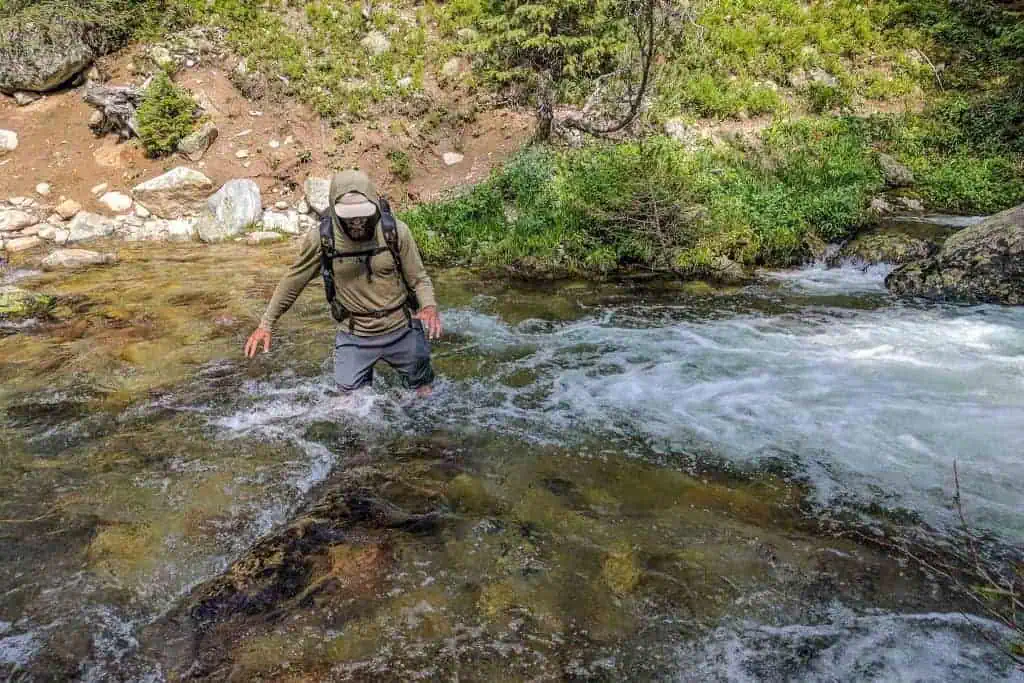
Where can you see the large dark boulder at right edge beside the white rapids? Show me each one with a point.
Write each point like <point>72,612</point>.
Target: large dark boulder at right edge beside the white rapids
<point>984,264</point>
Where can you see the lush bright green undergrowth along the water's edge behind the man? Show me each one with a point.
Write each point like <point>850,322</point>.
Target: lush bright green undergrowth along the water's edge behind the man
<point>654,204</point>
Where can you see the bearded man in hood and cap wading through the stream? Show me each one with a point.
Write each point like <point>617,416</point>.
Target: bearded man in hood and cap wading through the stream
<point>374,279</point>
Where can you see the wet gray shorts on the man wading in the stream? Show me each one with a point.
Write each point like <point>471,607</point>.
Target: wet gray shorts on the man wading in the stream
<point>407,351</point>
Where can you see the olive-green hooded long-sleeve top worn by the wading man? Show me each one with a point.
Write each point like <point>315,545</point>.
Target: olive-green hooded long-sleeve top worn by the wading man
<point>359,293</point>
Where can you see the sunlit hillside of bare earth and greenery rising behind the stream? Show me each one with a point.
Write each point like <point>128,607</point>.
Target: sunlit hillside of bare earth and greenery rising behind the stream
<point>758,139</point>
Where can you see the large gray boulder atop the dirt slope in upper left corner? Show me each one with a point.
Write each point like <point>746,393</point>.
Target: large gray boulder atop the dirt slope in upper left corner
<point>40,56</point>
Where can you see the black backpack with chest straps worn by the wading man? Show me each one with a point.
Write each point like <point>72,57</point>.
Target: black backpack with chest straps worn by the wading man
<point>390,229</point>
